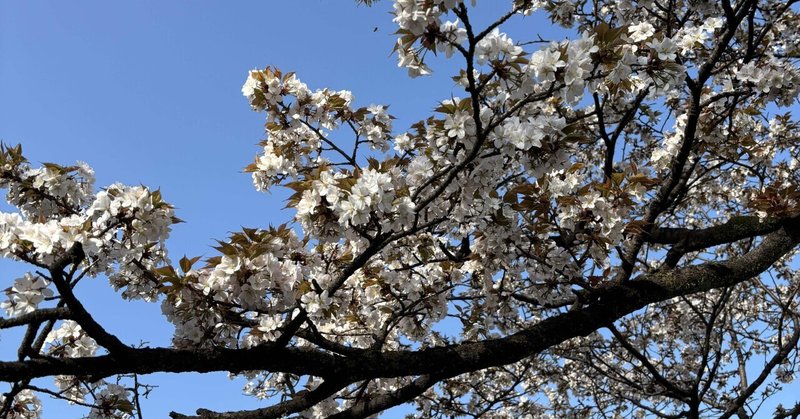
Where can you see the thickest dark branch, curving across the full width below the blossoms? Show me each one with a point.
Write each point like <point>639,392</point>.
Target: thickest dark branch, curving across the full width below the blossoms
<point>608,305</point>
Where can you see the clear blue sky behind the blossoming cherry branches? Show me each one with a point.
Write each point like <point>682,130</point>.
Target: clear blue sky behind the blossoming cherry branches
<point>148,92</point>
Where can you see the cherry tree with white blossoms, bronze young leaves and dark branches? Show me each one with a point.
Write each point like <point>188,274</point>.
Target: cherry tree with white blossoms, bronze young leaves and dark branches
<point>601,226</point>
